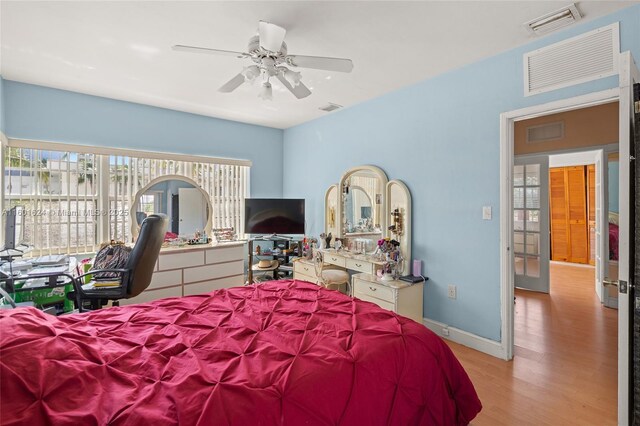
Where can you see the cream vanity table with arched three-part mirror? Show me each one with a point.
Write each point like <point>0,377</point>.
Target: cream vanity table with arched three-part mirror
<point>362,208</point>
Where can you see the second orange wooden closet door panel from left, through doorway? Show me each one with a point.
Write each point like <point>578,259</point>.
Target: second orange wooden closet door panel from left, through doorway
<point>577,214</point>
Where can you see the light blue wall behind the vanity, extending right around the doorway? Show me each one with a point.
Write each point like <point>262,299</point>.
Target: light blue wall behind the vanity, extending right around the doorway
<point>441,137</point>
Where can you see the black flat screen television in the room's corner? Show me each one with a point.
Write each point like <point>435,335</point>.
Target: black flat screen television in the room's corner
<point>274,216</point>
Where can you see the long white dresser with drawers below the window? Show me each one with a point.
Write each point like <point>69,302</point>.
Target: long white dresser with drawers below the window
<point>183,271</point>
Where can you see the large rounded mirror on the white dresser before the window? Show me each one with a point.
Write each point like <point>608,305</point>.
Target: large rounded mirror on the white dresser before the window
<point>186,204</point>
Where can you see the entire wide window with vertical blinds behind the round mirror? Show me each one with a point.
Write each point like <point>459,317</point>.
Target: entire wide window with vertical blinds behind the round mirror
<point>75,200</point>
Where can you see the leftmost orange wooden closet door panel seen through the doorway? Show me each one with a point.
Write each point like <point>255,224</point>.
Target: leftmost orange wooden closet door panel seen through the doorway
<point>558,207</point>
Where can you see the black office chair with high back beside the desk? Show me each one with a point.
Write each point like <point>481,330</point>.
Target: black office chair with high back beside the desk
<point>134,277</point>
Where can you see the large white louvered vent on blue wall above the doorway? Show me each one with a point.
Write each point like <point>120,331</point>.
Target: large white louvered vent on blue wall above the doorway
<point>586,57</point>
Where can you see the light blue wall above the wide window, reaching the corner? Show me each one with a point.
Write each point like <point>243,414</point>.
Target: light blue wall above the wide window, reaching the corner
<point>42,113</point>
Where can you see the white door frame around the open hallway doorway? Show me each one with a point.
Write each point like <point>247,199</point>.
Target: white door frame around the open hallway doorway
<point>507,120</point>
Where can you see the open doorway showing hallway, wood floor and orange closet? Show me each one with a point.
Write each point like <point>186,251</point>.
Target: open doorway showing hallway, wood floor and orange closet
<point>559,198</point>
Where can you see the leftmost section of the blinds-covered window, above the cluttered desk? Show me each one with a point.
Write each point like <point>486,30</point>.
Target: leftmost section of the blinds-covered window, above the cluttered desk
<point>59,193</point>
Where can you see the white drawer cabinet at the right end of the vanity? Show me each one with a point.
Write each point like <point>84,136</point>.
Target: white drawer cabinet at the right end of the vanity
<point>400,297</point>
